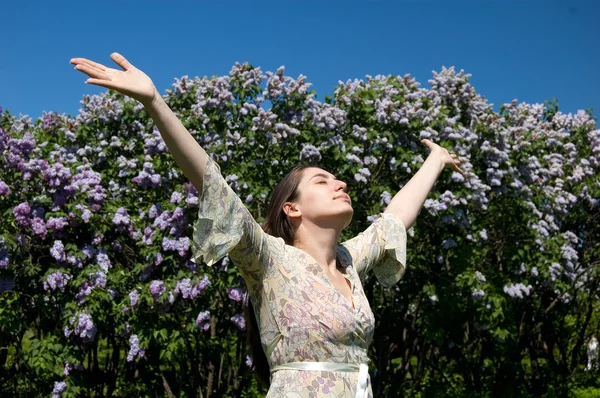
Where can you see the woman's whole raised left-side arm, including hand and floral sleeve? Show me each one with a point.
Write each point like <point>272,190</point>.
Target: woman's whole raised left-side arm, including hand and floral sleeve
<point>224,225</point>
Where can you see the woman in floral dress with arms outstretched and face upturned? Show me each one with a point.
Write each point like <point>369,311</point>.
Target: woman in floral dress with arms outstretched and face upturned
<point>314,319</point>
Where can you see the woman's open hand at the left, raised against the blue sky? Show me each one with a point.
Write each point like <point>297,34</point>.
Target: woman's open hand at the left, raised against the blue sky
<point>130,81</point>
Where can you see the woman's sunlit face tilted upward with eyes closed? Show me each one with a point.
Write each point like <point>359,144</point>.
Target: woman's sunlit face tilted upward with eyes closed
<point>322,200</point>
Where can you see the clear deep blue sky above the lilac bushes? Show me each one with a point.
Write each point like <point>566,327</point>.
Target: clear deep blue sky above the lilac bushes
<point>531,50</point>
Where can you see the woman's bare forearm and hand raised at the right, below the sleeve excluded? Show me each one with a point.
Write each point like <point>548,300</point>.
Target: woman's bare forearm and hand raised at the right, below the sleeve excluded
<point>406,204</point>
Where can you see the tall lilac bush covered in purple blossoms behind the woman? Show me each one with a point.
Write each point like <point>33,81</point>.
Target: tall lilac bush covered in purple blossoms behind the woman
<point>502,280</point>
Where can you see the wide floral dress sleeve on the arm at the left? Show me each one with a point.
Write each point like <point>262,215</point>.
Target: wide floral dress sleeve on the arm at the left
<point>225,225</point>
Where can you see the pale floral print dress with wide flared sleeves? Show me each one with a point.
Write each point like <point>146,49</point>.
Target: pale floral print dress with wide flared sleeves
<point>302,317</point>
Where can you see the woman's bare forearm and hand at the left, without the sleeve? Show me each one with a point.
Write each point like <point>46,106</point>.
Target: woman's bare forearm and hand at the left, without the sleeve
<point>186,151</point>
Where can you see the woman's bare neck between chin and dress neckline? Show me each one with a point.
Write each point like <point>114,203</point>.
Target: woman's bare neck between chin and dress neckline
<point>320,242</point>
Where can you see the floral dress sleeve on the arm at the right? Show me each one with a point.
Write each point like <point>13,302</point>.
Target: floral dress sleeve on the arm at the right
<point>382,248</point>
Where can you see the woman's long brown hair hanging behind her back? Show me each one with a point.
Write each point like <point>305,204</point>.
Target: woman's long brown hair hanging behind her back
<point>276,224</point>
